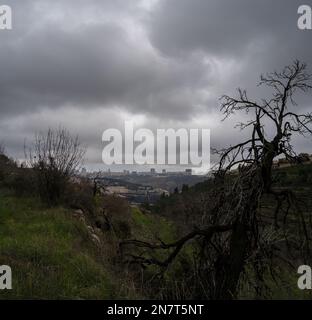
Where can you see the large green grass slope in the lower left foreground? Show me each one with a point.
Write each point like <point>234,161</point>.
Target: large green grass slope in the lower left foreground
<point>50,254</point>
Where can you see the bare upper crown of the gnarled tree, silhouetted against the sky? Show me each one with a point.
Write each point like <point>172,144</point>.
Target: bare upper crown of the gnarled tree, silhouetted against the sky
<point>259,148</point>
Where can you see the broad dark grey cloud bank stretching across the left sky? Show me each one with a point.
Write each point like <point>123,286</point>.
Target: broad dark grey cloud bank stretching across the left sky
<point>95,63</point>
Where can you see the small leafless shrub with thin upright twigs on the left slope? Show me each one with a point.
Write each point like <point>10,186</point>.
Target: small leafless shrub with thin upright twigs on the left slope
<point>55,157</point>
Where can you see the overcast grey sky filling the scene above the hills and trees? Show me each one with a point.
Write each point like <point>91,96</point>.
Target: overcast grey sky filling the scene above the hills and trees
<point>90,65</point>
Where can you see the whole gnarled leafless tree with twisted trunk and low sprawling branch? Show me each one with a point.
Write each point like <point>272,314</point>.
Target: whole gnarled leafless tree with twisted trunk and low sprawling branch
<point>233,233</point>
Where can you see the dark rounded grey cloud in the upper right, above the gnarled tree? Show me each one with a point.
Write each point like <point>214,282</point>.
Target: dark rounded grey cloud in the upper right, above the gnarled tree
<point>257,35</point>
